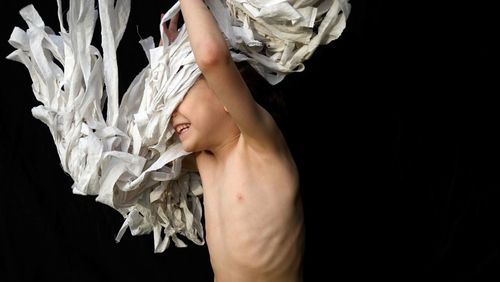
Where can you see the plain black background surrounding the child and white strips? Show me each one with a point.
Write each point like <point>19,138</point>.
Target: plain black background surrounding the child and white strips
<point>392,126</point>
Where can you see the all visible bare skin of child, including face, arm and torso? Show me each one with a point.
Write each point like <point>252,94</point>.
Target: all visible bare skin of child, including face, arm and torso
<point>253,212</point>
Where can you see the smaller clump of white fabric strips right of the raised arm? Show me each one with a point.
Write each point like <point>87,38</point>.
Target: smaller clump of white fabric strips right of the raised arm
<point>277,36</point>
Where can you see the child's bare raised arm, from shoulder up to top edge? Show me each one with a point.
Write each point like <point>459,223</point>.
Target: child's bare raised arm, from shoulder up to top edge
<point>213,57</point>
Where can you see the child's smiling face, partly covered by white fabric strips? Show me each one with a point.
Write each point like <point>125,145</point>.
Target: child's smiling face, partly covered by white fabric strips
<point>198,118</point>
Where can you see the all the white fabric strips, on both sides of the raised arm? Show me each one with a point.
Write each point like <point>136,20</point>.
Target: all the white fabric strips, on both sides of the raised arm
<point>131,159</point>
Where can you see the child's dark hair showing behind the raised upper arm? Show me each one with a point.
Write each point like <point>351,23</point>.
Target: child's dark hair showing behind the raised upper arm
<point>270,97</point>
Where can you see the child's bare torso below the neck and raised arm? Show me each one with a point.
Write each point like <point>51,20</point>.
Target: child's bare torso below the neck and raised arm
<point>252,198</point>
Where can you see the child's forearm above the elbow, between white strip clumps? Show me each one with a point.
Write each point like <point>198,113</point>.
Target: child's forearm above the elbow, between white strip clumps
<point>206,39</point>
